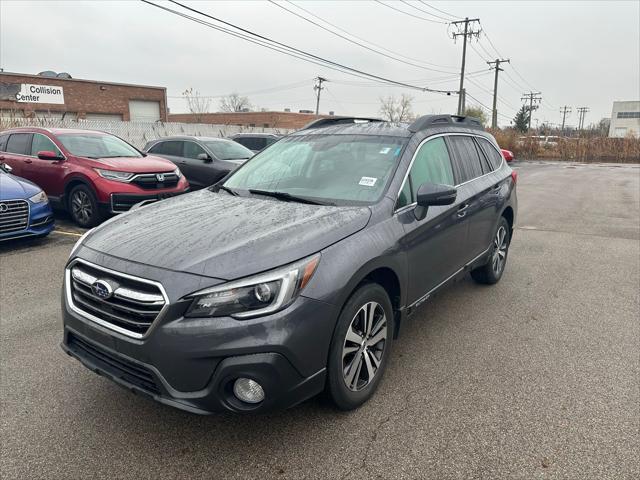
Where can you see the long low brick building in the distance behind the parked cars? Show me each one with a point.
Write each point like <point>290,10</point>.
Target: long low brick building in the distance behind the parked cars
<point>288,120</point>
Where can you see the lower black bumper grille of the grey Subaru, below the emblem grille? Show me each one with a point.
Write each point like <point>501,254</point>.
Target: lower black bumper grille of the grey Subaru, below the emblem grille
<point>117,366</point>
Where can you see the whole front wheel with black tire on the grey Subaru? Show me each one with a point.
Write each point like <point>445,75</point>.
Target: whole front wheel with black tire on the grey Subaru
<point>349,379</point>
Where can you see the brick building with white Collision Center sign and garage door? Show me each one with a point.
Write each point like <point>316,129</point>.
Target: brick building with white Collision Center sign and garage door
<point>23,95</point>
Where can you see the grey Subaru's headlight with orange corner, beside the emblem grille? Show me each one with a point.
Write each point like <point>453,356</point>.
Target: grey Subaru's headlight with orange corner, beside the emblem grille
<point>257,295</point>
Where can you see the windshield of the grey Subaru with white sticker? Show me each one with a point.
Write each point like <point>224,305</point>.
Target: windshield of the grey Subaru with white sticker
<point>337,169</point>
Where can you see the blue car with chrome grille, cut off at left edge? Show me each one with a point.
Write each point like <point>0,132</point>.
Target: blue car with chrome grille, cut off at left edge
<point>25,210</point>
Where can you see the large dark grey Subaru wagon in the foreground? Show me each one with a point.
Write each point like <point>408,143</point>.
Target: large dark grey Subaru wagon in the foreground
<point>294,274</point>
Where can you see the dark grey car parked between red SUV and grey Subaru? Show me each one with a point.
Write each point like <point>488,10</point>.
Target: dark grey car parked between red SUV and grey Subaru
<point>203,160</point>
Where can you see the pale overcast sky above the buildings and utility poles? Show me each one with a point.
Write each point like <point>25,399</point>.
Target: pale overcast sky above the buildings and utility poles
<point>575,53</point>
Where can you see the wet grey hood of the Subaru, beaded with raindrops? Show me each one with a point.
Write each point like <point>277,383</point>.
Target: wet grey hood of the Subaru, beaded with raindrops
<point>223,236</point>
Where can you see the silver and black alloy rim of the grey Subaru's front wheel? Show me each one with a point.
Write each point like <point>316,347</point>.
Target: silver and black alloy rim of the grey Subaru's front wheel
<point>364,346</point>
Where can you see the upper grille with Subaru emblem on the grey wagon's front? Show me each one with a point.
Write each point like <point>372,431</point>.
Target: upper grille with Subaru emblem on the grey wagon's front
<point>120,302</point>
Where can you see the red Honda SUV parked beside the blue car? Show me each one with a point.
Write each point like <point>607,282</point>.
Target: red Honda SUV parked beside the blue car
<point>91,174</point>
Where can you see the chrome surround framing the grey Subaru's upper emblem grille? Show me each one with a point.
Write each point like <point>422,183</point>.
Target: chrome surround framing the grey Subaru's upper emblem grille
<point>92,320</point>
